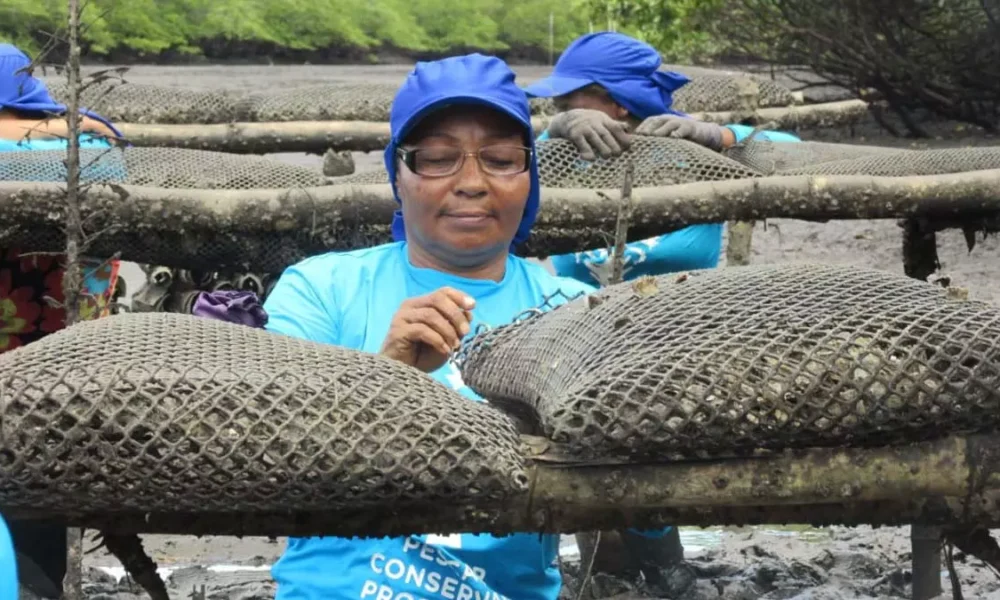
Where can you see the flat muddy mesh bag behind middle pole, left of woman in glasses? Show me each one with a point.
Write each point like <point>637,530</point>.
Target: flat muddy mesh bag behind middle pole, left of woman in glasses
<point>161,167</point>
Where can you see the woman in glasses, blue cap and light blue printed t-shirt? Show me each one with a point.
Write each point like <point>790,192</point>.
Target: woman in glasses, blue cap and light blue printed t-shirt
<point>462,165</point>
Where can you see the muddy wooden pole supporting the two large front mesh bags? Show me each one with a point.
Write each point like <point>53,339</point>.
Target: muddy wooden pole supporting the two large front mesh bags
<point>952,482</point>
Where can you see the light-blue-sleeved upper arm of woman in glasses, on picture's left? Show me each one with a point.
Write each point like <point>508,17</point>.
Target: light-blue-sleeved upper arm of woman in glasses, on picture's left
<point>295,307</point>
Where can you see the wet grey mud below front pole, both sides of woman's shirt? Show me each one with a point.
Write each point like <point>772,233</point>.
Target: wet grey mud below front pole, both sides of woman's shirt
<point>836,563</point>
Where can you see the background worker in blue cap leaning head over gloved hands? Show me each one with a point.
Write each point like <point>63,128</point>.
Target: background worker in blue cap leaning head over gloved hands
<point>607,85</point>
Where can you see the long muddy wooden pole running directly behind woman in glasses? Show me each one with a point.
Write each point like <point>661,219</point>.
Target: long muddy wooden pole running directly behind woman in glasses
<point>266,230</point>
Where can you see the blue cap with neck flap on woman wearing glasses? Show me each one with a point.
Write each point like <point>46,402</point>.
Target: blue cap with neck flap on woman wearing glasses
<point>472,79</point>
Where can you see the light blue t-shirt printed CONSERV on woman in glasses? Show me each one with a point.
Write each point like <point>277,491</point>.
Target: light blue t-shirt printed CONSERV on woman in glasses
<point>349,299</point>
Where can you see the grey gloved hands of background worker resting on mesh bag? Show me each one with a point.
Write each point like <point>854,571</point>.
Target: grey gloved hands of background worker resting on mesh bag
<point>597,135</point>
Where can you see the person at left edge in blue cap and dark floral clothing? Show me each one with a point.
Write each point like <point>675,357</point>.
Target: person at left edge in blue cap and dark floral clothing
<point>30,120</point>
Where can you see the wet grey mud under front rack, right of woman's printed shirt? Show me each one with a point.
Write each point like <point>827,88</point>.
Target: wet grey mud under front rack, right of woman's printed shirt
<point>852,563</point>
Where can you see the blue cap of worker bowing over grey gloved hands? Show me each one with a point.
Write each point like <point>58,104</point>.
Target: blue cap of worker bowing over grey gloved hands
<point>627,68</point>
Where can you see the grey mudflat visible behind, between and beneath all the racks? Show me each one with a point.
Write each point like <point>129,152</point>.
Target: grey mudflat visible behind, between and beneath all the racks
<point>737,564</point>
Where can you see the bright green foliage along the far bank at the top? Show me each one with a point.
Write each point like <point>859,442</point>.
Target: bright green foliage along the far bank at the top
<point>350,30</point>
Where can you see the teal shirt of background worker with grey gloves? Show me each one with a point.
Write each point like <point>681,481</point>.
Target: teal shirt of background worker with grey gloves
<point>694,247</point>
